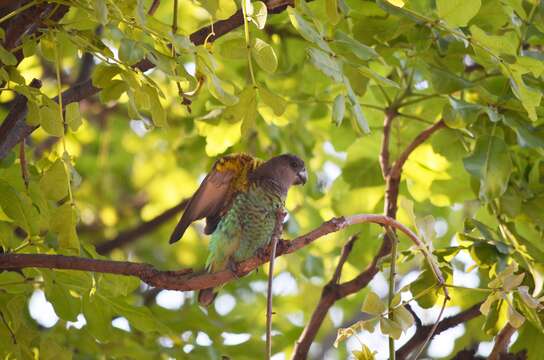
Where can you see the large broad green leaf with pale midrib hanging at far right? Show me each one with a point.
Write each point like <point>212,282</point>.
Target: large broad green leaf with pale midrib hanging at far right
<point>491,163</point>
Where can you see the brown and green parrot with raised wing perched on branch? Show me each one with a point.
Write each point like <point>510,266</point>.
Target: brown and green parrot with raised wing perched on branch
<point>240,198</point>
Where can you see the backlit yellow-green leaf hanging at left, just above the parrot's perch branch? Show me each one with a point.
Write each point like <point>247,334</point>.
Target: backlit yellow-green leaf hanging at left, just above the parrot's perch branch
<point>63,223</point>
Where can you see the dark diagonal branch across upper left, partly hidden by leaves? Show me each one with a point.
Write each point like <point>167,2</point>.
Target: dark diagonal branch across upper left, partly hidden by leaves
<point>19,129</point>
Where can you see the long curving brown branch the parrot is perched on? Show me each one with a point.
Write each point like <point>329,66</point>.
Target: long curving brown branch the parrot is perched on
<point>186,279</point>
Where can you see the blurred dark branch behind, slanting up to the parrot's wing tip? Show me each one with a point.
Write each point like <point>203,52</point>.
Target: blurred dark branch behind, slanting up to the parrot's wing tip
<point>128,236</point>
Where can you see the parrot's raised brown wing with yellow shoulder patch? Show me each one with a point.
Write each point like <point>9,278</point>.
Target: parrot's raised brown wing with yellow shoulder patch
<point>228,176</point>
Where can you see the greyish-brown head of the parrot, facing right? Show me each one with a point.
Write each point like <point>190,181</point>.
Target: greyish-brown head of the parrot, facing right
<point>283,170</point>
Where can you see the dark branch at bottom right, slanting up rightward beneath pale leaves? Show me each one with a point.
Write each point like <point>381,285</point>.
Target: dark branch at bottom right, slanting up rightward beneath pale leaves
<point>423,331</point>
